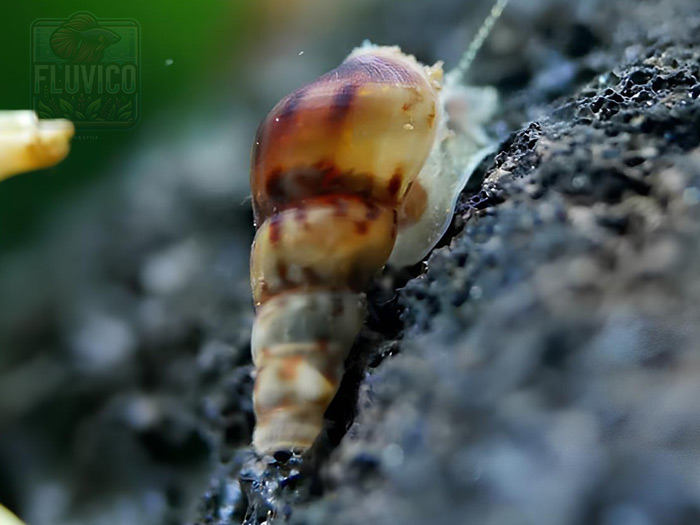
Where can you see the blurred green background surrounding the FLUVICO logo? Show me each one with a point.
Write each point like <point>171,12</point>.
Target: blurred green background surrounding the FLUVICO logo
<point>202,40</point>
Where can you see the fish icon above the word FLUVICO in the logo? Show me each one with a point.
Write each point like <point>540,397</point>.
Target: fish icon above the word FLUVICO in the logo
<point>82,40</point>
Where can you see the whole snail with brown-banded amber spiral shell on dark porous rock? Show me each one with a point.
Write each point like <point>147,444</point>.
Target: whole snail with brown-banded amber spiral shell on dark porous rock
<point>360,167</point>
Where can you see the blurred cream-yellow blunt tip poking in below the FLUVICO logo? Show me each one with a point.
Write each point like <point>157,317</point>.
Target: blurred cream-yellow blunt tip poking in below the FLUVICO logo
<point>27,143</point>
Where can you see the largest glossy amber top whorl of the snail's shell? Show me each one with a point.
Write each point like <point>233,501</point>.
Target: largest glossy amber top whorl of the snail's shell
<point>363,129</point>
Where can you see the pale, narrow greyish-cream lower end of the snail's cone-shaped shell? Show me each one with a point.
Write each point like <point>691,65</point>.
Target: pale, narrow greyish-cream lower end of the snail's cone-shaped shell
<point>299,343</point>
